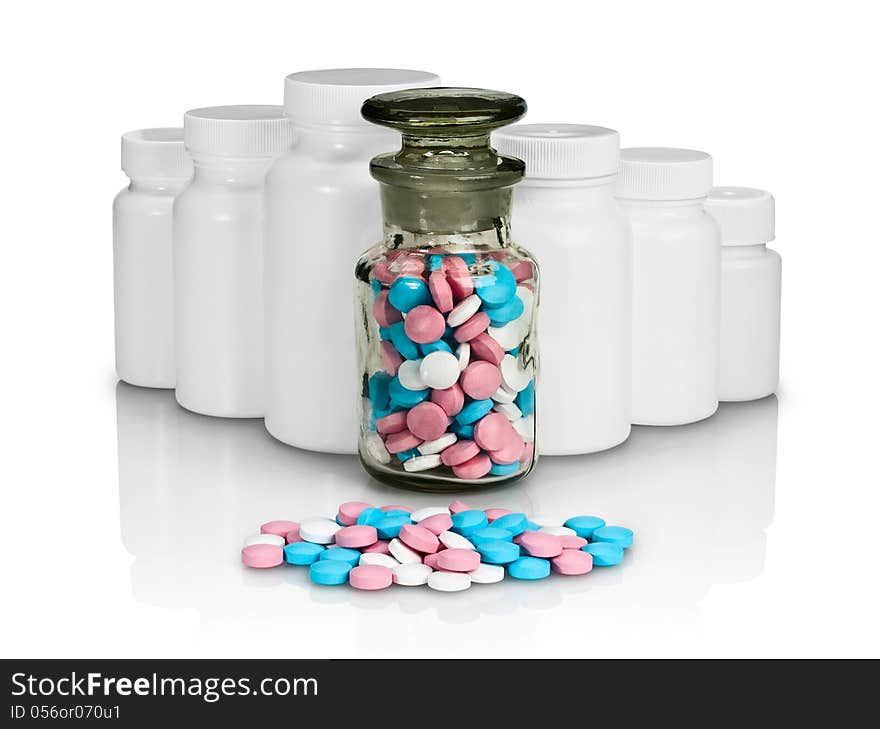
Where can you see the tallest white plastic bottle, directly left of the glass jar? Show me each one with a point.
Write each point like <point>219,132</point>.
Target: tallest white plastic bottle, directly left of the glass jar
<point>322,211</point>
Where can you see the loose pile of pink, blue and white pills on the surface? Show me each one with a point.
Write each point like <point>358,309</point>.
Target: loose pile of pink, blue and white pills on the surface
<point>446,548</point>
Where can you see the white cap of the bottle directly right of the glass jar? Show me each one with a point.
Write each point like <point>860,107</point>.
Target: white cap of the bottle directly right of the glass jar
<point>561,151</point>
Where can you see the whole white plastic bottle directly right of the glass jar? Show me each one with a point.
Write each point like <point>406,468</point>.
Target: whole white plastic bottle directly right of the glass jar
<point>565,212</point>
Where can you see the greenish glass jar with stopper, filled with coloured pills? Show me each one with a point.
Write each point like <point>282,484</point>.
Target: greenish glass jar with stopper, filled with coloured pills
<point>446,302</point>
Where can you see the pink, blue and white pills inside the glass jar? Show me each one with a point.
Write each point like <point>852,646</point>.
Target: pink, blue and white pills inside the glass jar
<point>455,393</point>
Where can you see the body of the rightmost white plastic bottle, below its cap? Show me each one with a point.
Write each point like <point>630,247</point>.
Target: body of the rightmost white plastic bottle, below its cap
<point>750,308</point>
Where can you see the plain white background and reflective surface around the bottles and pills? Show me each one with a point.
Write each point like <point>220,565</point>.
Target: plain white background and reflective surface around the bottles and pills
<point>122,515</point>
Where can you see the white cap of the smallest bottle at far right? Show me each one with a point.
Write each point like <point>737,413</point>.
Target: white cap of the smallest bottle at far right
<point>746,216</point>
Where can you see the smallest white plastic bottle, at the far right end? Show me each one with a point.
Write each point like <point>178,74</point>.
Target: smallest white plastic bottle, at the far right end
<point>750,292</point>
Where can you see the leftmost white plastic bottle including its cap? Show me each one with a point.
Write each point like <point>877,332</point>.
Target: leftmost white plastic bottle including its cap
<point>159,168</point>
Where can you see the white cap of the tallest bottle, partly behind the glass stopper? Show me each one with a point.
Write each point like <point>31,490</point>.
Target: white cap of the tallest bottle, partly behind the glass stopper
<point>334,96</point>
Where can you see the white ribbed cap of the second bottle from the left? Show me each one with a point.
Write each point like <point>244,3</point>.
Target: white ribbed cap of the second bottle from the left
<point>250,130</point>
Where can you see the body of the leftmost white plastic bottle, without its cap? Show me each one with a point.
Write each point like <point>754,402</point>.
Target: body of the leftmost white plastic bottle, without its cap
<point>143,282</point>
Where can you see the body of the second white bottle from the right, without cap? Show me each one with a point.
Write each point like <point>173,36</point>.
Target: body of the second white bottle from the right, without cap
<point>676,312</point>
